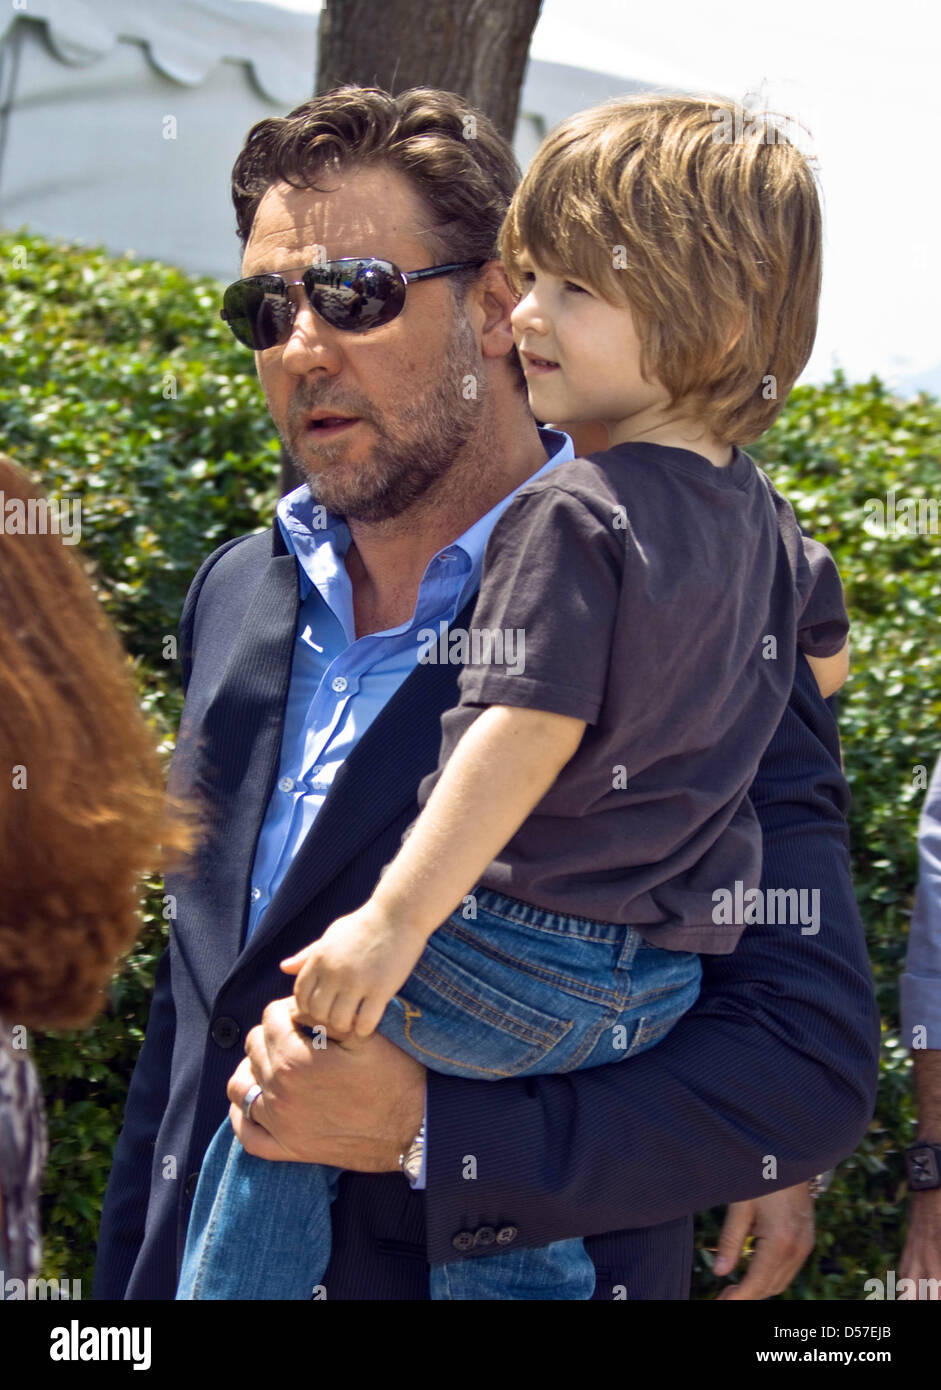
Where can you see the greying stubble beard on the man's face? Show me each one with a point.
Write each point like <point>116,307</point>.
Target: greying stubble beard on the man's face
<point>411,455</point>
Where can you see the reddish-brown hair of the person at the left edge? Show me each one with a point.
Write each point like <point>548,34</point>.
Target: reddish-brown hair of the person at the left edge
<point>84,810</point>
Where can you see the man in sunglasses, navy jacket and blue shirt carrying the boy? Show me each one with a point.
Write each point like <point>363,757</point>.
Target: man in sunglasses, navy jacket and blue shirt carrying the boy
<point>382,327</point>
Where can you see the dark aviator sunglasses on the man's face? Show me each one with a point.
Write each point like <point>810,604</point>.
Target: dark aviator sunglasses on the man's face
<point>351,294</point>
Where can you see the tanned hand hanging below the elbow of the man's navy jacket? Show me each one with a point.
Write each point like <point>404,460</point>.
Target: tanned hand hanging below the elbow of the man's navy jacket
<point>783,1228</point>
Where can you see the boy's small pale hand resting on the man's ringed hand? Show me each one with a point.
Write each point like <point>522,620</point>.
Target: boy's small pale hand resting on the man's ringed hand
<point>348,976</point>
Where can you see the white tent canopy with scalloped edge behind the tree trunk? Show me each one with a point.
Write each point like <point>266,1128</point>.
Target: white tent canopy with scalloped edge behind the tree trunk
<point>120,122</point>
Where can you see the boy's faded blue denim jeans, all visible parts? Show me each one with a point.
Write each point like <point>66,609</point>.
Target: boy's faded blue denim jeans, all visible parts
<point>512,992</point>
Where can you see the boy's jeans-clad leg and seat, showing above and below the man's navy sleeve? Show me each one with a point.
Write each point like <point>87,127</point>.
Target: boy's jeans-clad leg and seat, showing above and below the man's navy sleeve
<point>518,992</point>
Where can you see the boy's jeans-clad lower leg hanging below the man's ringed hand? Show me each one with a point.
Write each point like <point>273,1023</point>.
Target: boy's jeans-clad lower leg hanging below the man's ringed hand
<point>258,1229</point>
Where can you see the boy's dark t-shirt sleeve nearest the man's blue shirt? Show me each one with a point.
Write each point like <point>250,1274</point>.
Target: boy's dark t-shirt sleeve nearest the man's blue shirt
<point>546,618</point>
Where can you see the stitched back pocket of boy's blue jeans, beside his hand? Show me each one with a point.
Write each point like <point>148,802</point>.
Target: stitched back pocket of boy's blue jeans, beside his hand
<point>464,1024</point>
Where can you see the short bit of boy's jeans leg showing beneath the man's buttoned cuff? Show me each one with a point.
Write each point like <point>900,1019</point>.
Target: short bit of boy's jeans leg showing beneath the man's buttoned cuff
<point>562,1271</point>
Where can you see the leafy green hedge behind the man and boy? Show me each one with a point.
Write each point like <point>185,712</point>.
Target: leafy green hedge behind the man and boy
<point>119,384</point>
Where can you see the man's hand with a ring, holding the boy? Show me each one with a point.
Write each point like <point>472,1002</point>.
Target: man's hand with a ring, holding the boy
<point>351,1104</point>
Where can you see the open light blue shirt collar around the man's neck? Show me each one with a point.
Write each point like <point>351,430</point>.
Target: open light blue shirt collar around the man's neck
<point>320,539</point>
